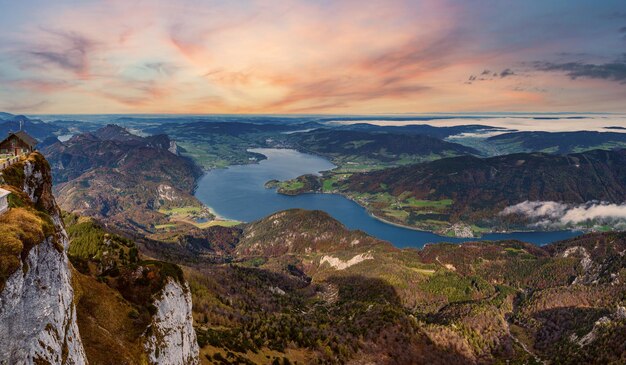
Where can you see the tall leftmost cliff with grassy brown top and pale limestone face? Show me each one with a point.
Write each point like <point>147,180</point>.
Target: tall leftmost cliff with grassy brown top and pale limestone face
<point>37,312</point>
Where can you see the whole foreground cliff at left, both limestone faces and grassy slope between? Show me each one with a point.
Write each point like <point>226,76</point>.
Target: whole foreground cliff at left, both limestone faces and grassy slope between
<point>113,309</point>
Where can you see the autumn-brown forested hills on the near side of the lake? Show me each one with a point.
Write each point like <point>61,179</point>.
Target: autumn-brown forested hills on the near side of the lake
<point>359,299</point>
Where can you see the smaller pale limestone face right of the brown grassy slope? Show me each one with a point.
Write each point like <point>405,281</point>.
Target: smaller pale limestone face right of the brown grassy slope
<point>171,339</point>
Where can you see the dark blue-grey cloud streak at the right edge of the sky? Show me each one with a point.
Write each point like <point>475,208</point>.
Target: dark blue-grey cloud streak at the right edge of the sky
<point>614,71</point>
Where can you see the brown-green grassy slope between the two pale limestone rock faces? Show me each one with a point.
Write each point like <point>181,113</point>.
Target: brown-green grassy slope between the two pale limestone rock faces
<point>114,291</point>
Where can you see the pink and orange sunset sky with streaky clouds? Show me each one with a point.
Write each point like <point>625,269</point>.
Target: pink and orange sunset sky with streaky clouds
<point>339,57</point>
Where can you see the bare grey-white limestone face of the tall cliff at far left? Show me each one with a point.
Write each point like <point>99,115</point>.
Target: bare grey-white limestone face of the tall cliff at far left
<point>37,312</point>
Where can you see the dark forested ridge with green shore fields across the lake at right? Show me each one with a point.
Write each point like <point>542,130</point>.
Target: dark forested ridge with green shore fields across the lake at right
<point>468,190</point>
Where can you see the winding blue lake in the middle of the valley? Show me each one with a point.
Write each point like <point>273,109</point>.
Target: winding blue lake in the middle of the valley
<point>238,193</point>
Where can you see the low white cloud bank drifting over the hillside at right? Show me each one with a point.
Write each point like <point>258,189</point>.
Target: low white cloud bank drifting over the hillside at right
<point>550,213</point>
